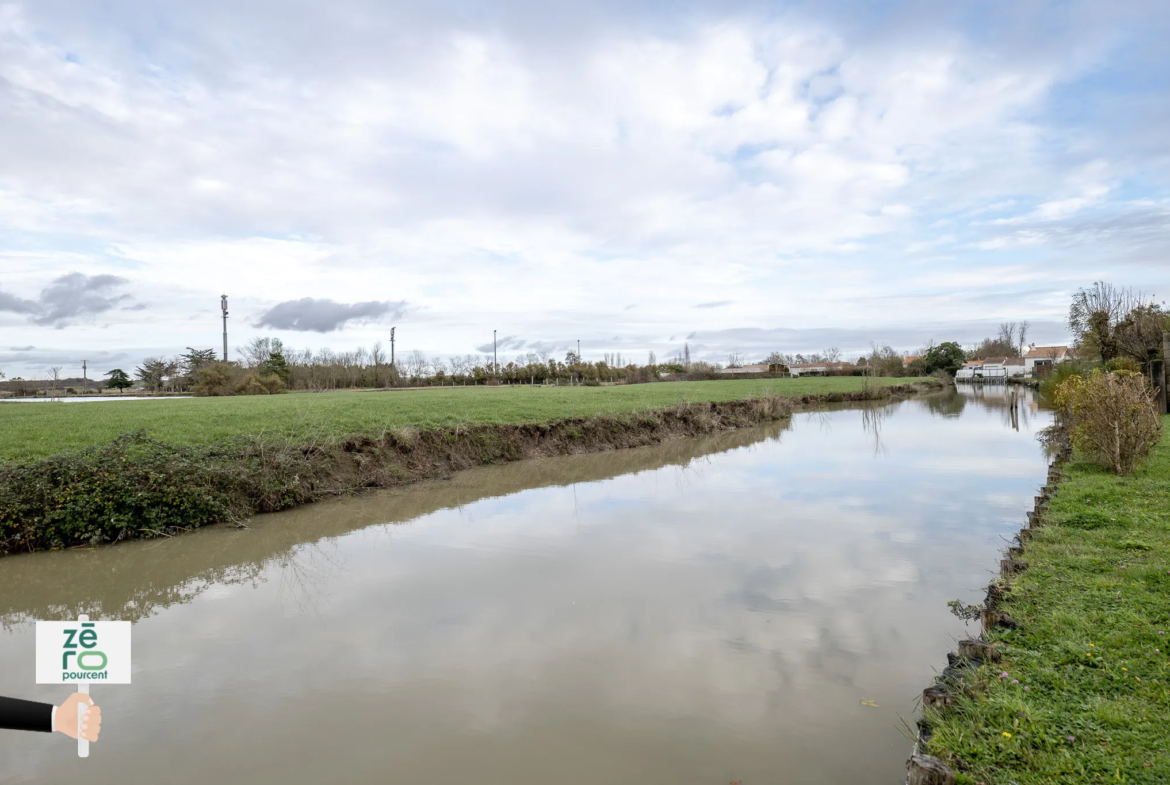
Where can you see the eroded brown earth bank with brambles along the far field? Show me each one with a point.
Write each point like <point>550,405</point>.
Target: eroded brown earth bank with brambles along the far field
<point>140,487</point>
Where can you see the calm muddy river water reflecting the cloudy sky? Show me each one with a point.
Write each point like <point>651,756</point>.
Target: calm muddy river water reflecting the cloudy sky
<point>762,607</point>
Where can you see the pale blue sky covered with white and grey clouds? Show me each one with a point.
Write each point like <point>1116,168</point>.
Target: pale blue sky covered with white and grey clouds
<point>741,177</point>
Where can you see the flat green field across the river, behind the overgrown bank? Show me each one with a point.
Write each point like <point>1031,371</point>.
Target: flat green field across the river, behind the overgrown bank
<point>32,431</point>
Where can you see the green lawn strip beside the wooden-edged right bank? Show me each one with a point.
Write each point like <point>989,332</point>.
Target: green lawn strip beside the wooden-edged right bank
<point>1093,648</point>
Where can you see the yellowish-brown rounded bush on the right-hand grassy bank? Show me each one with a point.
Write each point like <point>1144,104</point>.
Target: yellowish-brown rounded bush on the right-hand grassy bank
<point>1112,418</point>
